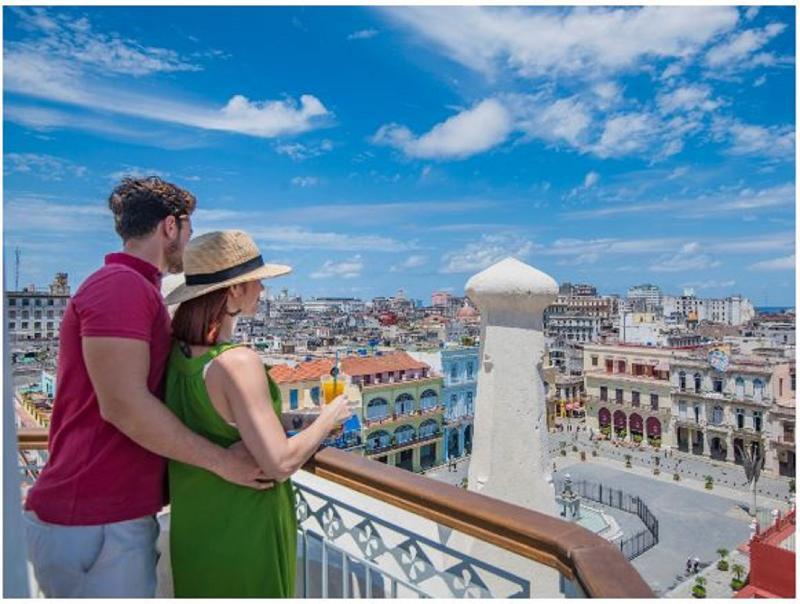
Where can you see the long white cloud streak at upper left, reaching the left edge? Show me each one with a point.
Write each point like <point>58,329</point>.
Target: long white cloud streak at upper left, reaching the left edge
<point>78,74</point>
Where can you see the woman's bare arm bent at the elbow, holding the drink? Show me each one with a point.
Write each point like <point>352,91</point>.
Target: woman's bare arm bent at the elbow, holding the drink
<point>246,390</point>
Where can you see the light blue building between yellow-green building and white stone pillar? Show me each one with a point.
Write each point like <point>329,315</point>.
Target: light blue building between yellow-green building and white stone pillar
<point>458,365</point>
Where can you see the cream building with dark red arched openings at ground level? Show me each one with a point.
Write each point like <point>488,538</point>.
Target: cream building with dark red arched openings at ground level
<point>628,391</point>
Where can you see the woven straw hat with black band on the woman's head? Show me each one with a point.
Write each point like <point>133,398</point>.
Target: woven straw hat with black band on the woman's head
<point>218,260</point>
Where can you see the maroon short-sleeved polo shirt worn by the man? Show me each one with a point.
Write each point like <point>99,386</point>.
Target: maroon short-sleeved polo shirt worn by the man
<point>95,474</point>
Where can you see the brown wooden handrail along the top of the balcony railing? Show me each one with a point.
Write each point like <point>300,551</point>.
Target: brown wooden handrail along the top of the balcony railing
<point>577,553</point>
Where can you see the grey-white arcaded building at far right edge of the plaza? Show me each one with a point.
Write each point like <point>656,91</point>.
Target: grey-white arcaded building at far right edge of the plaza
<point>723,402</point>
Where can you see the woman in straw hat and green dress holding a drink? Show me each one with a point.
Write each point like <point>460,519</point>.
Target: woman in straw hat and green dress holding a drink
<point>227,540</point>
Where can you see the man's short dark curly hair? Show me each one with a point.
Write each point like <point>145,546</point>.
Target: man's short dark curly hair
<point>139,204</point>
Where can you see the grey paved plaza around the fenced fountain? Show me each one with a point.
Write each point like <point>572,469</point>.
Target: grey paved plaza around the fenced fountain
<point>693,521</point>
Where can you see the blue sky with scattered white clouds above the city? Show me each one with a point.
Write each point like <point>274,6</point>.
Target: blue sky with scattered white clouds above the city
<point>380,148</point>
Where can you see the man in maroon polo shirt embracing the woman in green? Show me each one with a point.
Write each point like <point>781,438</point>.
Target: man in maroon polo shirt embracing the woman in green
<point>90,517</point>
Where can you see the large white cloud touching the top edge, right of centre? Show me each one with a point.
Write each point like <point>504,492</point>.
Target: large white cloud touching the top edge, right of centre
<point>584,42</point>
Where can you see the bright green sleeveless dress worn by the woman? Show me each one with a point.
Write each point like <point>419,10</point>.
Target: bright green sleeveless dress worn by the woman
<point>226,541</point>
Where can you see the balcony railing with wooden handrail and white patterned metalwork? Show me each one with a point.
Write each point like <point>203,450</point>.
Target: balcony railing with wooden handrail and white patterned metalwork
<point>371,530</point>
